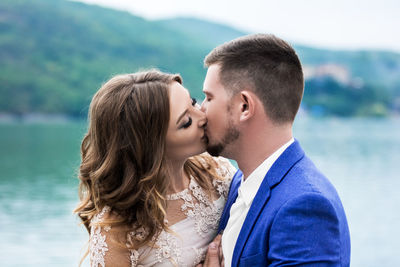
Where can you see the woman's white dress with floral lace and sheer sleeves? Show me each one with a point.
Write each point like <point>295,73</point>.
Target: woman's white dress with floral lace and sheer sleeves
<point>186,245</point>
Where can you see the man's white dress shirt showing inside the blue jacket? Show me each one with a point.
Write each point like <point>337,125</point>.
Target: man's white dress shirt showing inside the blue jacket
<point>246,193</point>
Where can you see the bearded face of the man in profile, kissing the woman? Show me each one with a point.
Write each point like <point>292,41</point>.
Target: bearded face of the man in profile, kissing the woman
<point>220,129</point>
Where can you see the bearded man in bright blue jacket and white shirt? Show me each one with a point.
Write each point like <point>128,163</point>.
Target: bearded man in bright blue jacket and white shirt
<point>281,210</point>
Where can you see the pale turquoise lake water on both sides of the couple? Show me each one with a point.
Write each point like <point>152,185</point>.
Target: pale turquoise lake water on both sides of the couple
<point>38,188</point>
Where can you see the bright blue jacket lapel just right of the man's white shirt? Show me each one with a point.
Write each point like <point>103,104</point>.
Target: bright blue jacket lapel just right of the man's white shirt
<point>274,176</point>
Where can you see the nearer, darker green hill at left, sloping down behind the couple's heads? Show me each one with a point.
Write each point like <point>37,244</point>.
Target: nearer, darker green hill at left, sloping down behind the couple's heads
<point>55,54</point>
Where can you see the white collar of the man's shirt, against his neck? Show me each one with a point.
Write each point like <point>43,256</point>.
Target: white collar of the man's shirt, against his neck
<point>249,187</point>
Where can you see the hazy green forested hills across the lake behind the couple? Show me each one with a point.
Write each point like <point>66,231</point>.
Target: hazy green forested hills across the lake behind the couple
<point>55,54</point>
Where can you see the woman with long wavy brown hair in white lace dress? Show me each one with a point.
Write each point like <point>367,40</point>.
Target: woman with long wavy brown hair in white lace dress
<point>146,198</point>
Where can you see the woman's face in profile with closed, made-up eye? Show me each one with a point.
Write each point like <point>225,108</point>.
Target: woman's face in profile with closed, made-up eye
<point>185,135</point>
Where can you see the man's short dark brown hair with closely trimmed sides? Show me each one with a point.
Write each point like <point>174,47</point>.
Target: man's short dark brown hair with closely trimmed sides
<point>265,64</point>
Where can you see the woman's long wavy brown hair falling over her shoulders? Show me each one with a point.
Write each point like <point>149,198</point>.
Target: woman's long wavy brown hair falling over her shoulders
<point>123,163</point>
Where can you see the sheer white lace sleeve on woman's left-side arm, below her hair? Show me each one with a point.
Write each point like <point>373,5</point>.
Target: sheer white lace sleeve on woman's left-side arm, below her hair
<point>106,246</point>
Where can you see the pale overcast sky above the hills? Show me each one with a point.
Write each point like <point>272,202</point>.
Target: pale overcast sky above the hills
<point>338,24</point>
